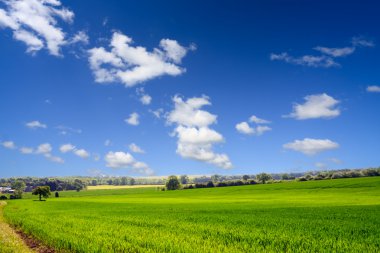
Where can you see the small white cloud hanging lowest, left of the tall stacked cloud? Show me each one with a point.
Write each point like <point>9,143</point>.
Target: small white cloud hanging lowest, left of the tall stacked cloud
<point>121,160</point>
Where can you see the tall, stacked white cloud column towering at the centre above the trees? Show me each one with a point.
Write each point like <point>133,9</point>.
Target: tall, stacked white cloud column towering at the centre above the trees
<point>195,138</point>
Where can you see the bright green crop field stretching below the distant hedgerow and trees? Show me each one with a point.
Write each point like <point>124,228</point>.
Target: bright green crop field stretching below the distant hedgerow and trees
<point>316,216</point>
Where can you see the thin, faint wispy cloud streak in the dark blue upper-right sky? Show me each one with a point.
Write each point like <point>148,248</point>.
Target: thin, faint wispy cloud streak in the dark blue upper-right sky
<point>327,56</point>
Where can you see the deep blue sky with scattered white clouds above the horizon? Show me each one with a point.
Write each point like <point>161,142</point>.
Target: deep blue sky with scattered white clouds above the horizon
<point>146,88</point>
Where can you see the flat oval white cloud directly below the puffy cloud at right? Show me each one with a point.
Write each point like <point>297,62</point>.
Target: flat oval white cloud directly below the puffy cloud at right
<point>309,146</point>
